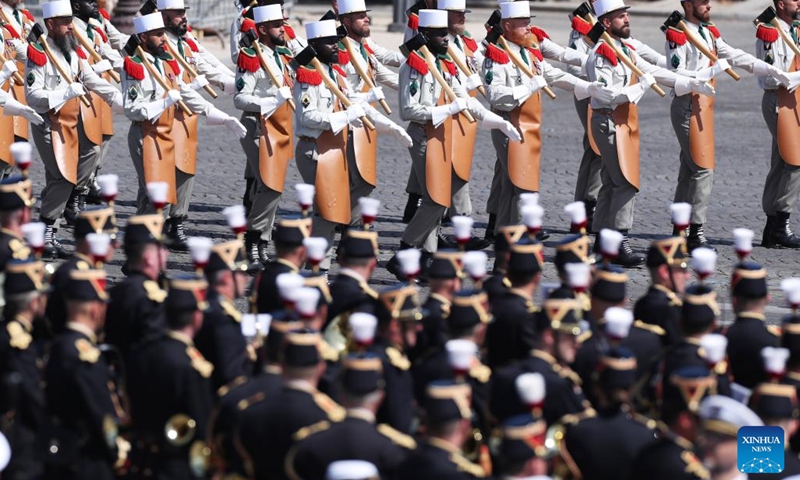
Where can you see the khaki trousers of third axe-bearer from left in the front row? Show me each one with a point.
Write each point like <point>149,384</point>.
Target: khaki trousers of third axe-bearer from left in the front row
<point>265,200</point>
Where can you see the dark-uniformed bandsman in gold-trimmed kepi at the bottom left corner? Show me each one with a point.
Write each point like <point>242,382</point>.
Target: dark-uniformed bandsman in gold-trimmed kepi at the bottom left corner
<point>25,295</point>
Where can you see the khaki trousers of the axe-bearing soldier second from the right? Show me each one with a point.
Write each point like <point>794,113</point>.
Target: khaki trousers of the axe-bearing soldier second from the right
<point>694,182</point>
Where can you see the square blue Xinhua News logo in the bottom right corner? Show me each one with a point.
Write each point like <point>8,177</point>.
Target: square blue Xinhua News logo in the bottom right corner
<point>761,450</point>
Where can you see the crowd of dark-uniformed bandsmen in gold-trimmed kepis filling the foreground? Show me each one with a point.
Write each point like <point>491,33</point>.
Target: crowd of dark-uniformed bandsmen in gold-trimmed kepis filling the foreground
<point>166,379</point>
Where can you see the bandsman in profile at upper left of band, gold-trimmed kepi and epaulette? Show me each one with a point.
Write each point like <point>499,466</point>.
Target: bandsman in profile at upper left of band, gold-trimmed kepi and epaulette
<point>136,305</point>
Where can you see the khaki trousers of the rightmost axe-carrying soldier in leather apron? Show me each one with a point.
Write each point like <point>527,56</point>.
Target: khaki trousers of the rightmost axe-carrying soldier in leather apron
<point>782,186</point>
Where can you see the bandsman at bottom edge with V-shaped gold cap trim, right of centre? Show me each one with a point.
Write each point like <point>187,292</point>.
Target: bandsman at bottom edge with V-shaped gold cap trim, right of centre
<point>447,421</point>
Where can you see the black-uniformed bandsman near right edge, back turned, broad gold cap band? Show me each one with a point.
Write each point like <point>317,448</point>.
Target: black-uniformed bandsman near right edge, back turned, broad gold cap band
<point>749,333</point>
